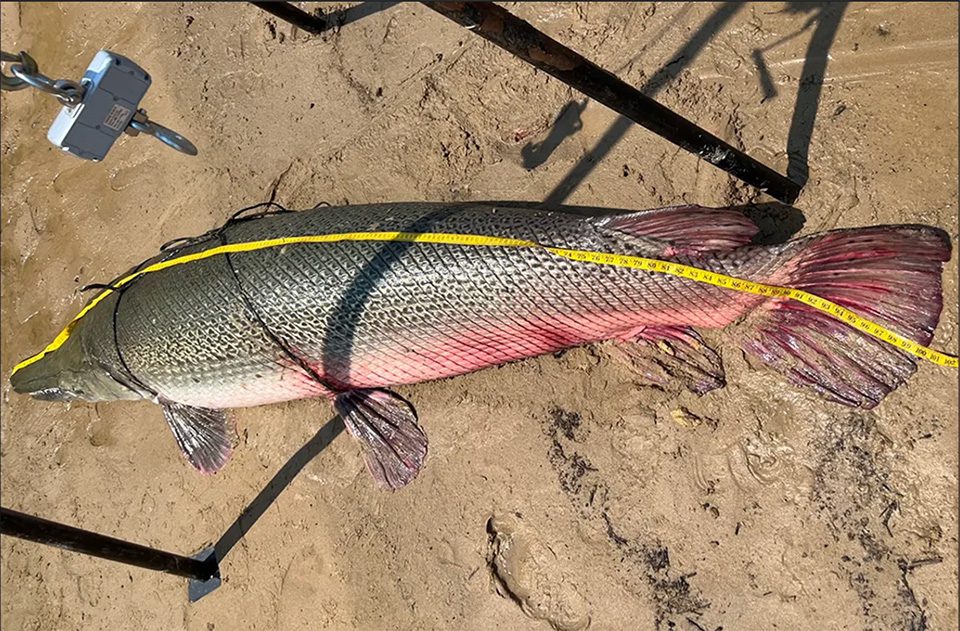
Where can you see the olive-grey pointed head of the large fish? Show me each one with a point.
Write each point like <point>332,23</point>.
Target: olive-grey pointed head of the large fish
<point>68,373</point>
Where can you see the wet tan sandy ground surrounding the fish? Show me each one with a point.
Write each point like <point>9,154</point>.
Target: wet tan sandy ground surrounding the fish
<point>557,490</point>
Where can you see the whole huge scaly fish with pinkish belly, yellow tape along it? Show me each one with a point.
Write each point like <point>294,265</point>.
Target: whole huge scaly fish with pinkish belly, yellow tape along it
<point>348,302</point>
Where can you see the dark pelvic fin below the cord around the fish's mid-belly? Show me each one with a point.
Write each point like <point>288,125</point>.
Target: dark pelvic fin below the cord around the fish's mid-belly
<point>394,446</point>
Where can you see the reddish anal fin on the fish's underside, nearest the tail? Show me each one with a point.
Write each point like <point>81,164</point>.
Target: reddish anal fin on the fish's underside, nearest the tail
<point>665,353</point>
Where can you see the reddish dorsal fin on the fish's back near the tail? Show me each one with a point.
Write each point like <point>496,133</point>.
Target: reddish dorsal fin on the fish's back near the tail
<point>691,228</point>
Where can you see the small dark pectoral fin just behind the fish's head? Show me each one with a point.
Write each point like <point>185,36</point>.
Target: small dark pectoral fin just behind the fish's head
<point>202,433</point>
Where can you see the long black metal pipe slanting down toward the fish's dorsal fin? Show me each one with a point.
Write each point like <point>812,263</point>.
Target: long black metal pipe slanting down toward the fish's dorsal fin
<point>516,36</point>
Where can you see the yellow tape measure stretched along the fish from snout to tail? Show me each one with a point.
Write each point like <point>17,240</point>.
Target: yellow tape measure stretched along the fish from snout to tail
<point>600,258</point>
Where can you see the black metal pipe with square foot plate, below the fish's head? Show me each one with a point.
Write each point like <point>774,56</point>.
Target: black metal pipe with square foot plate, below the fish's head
<point>17,524</point>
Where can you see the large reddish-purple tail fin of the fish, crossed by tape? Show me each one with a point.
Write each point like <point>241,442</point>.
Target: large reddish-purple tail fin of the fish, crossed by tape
<point>888,274</point>
